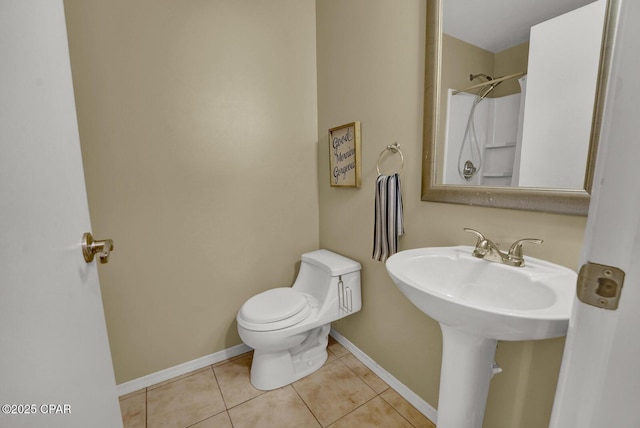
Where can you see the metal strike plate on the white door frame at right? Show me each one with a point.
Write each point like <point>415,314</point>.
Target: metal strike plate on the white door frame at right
<point>600,285</point>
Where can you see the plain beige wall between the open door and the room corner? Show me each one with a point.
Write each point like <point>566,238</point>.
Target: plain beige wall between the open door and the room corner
<point>198,123</point>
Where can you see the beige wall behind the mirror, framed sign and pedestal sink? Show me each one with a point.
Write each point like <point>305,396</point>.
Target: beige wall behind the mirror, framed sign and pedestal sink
<point>371,68</point>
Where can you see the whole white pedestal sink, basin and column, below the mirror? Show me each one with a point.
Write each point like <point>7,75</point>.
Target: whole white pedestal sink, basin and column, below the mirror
<point>477,303</point>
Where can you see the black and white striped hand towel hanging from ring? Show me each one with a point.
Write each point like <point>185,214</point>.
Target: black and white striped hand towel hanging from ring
<point>389,223</point>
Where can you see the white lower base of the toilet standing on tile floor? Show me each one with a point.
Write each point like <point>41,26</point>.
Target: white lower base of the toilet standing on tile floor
<point>274,369</point>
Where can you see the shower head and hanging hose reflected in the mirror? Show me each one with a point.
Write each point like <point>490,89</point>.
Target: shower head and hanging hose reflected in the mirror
<point>472,166</point>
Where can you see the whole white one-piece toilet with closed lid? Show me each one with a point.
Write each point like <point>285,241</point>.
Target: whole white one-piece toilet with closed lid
<point>288,327</point>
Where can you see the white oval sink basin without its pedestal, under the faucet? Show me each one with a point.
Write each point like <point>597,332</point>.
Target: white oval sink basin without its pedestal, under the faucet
<point>484,298</point>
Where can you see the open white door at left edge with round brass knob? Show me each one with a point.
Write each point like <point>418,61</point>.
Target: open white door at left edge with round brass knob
<point>55,363</point>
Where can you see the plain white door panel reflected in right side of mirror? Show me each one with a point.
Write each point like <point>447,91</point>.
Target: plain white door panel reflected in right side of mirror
<point>564,53</point>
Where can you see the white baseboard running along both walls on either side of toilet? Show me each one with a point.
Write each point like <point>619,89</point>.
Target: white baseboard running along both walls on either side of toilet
<point>166,374</point>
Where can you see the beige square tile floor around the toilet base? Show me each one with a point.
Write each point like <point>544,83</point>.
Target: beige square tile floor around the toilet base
<point>344,393</point>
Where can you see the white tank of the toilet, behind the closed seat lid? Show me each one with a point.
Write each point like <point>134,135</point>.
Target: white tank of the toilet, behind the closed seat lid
<point>332,279</point>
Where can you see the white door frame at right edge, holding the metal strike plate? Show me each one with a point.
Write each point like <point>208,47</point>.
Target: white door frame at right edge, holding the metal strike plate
<point>599,382</point>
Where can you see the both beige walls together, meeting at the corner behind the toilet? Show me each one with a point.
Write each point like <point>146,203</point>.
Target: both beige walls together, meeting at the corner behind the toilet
<point>199,124</point>
